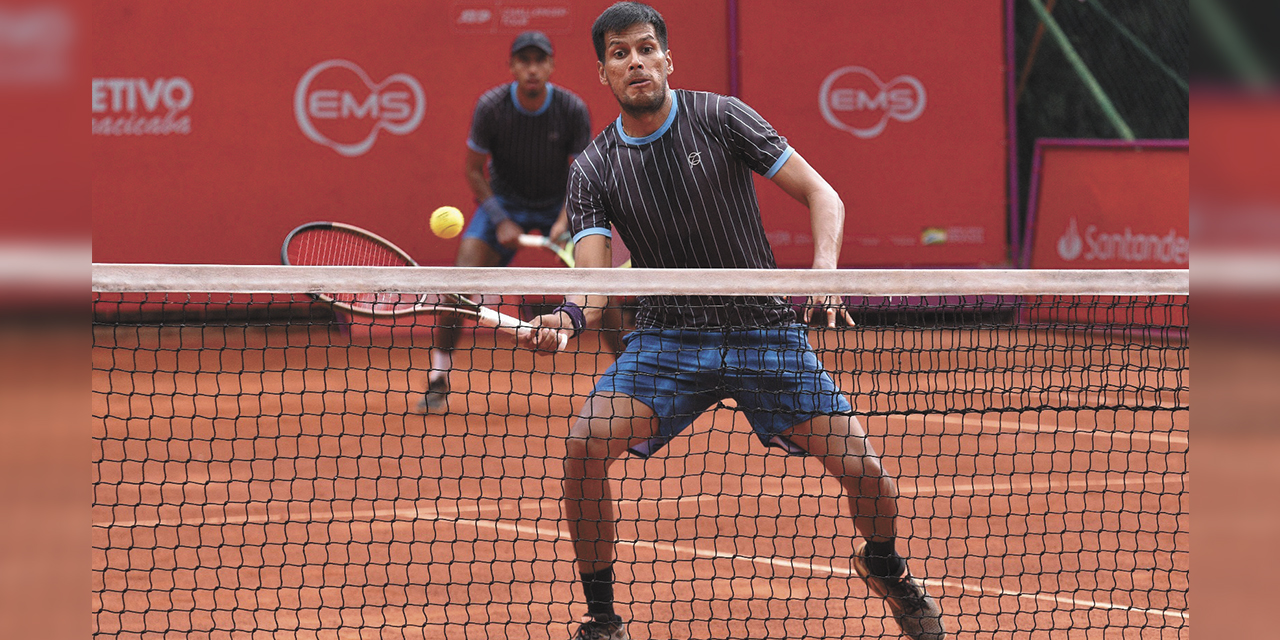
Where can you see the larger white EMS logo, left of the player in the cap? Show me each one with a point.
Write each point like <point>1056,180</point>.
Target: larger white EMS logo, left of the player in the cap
<point>339,106</point>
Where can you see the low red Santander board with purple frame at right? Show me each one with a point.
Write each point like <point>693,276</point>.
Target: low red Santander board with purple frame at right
<point>1109,205</point>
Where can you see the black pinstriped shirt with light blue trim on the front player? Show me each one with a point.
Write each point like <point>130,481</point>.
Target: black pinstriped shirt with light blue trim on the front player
<point>683,199</point>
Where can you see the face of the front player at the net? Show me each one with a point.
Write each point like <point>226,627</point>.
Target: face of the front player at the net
<point>636,68</point>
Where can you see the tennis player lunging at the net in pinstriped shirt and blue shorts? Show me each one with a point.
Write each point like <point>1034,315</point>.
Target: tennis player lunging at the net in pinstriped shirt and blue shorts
<point>674,176</point>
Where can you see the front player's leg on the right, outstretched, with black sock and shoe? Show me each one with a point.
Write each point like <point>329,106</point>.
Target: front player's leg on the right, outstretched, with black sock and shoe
<point>842,444</point>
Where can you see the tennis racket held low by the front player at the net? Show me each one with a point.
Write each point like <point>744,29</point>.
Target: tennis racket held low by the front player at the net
<point>345,245</point>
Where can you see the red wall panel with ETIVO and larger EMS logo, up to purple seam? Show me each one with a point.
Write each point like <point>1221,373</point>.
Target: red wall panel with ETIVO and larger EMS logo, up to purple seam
<point>218,127</point>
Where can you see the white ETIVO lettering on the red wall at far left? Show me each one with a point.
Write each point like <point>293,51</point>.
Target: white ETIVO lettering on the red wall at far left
<point>141,107</point>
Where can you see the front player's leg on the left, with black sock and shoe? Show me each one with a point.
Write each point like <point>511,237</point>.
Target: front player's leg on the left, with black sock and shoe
<point>606,428</point>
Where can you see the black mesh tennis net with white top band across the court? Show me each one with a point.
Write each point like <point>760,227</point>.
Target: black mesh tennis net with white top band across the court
<point>260,470</point>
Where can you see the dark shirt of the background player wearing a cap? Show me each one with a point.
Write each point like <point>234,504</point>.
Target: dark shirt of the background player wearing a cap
<point>529,152</point>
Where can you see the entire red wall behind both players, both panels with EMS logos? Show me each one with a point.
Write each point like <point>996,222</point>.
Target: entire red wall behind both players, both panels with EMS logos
<point>218,127</point>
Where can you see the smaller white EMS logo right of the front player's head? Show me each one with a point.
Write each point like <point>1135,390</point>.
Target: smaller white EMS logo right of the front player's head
<point>854,100</point>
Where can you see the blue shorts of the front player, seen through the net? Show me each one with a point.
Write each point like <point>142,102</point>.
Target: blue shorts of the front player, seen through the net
<point>771,373</point>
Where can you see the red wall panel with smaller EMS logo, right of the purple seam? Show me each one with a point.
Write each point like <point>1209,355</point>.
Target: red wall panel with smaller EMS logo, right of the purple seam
<point>902,107</point>
